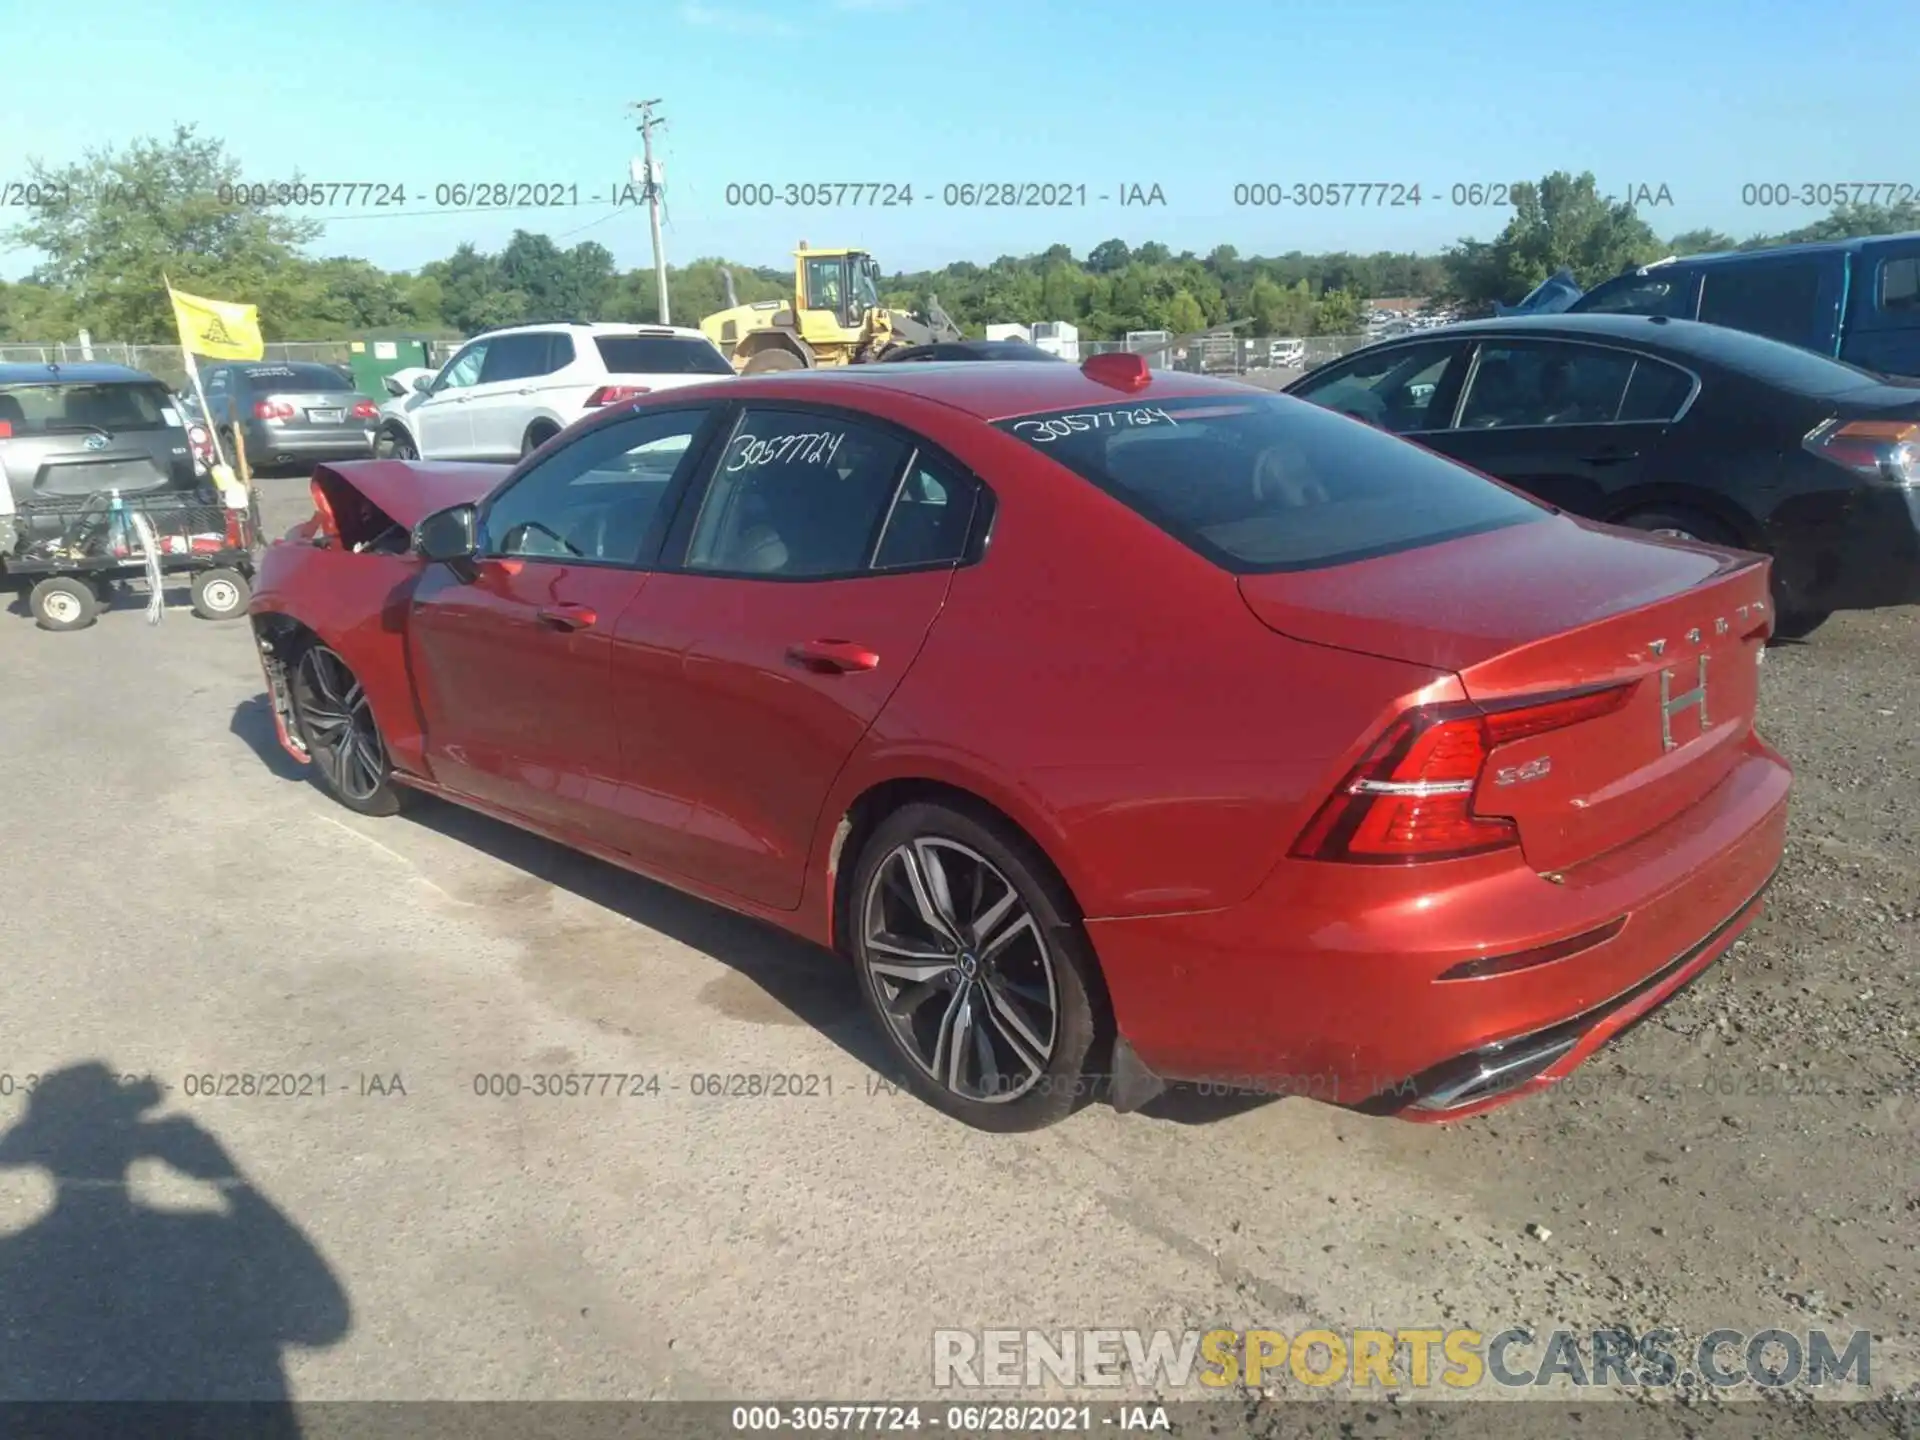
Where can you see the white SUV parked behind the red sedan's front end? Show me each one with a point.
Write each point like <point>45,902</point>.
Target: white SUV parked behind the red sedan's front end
<point>508,393</point>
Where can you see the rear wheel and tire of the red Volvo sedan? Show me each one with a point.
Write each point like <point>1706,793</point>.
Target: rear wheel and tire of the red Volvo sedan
<point>957,999</point>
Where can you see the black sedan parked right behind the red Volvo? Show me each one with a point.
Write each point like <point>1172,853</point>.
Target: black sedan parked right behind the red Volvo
<point>1673,427</point>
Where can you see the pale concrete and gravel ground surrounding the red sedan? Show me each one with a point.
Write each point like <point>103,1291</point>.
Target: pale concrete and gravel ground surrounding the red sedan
<point>183,903</point>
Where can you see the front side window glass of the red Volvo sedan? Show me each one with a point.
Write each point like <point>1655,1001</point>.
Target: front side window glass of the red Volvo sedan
<point>596,498</point>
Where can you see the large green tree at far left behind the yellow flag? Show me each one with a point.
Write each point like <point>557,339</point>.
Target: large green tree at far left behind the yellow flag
<point>124,218</point>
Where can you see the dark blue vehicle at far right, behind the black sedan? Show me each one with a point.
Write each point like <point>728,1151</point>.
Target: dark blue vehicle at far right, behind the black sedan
<point>1858,300</point>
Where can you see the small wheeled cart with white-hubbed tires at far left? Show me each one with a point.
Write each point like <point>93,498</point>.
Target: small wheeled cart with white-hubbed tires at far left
<point>72,552</point>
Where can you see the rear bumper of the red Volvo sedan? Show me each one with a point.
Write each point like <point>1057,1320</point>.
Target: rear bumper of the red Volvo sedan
<point>1330,980</point>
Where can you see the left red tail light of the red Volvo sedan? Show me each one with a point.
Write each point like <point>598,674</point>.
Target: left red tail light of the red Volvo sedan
<point>1412,796</point>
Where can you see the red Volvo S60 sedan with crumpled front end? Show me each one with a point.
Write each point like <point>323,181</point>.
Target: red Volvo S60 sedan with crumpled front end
<point>1393,786</point>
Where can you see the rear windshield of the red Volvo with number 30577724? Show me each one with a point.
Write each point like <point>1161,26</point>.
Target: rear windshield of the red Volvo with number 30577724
<point>1272,483</point>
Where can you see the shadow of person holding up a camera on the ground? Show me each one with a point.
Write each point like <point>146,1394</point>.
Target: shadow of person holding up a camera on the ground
<point>107,1299</point>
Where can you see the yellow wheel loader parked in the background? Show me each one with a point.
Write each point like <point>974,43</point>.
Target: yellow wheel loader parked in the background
<point>834,318</point>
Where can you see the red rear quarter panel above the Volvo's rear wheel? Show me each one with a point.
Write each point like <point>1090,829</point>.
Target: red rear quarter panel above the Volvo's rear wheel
<point>1111,692</point>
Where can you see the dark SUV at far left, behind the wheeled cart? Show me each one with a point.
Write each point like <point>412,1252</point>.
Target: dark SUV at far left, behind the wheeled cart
<point>89,429</point>
